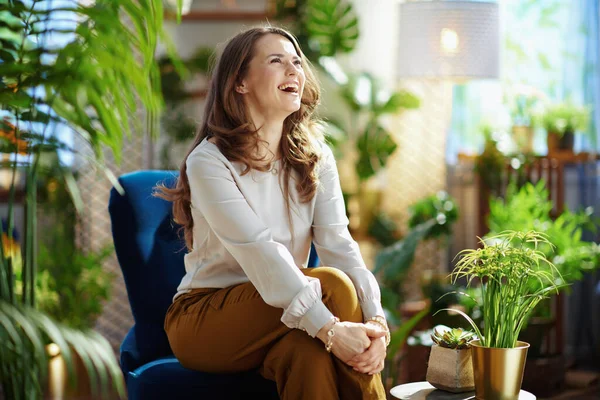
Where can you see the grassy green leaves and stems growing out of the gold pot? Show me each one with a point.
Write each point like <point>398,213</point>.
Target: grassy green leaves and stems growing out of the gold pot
<point>503,267</point>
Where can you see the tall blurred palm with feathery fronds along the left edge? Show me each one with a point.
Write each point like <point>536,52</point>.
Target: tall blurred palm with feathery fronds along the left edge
<point>89,85</point>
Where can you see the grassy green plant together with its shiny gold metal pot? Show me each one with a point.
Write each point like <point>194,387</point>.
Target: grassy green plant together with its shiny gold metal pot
<point>503,266</point>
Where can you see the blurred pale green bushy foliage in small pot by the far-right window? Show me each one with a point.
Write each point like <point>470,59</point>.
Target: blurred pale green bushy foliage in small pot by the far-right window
<point>565,117</point>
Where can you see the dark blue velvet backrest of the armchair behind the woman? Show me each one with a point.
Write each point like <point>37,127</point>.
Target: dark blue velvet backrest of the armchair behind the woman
<point>150,252</point>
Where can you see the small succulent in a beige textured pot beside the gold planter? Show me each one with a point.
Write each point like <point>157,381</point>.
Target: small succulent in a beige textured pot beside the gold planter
<point>450,365</point>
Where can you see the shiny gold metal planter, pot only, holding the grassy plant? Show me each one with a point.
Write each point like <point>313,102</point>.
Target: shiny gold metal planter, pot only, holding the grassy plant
<point>498,372</point>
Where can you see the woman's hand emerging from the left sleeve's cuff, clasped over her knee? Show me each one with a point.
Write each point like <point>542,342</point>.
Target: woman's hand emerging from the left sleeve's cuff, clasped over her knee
<point>351,339</point>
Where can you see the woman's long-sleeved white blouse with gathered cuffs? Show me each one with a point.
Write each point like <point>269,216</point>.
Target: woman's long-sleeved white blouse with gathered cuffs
<point>242,233</point>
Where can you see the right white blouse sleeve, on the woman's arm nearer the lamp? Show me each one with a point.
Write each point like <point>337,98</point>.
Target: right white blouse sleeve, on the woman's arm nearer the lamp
<point>335,247</point>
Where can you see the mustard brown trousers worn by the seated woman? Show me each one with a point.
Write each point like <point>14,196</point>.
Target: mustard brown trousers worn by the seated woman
<point>232,329</point>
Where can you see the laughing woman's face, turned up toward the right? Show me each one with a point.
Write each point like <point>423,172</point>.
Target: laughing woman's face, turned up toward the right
<point>274,82</point>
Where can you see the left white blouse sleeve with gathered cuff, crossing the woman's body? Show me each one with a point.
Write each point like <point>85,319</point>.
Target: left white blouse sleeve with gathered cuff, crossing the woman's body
<point>268,264</point>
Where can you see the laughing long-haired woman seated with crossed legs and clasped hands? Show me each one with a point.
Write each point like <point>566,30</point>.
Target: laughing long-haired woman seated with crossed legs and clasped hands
<point>257,187</point>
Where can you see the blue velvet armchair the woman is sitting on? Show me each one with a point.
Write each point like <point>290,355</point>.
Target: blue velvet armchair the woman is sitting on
<point>150,252</point>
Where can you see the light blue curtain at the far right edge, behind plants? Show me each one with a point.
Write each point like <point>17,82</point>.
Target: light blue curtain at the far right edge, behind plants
<point>582,81</point>
